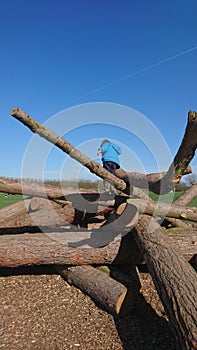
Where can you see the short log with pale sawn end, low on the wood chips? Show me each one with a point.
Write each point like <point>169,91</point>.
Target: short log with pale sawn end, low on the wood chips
<point>106,291</point>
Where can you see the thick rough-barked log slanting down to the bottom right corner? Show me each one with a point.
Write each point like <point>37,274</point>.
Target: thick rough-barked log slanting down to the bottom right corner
<point>174,279</point>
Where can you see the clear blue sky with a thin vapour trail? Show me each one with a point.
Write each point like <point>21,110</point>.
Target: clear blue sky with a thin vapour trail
<point>58,54</point>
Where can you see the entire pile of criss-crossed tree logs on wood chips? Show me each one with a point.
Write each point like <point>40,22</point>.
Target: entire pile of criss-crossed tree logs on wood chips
<point>79,233</point>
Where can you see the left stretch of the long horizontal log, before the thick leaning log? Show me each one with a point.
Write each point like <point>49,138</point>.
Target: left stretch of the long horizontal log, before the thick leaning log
<point>40,249</point>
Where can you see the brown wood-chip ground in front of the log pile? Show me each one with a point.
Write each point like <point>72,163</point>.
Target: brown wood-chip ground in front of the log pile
<point>40,310</point>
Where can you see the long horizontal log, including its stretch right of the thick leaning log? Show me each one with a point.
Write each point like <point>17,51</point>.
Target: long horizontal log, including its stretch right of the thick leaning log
<point>71,248</point>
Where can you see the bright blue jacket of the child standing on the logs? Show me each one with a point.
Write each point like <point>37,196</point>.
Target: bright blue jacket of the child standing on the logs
<point>110,152</point>
